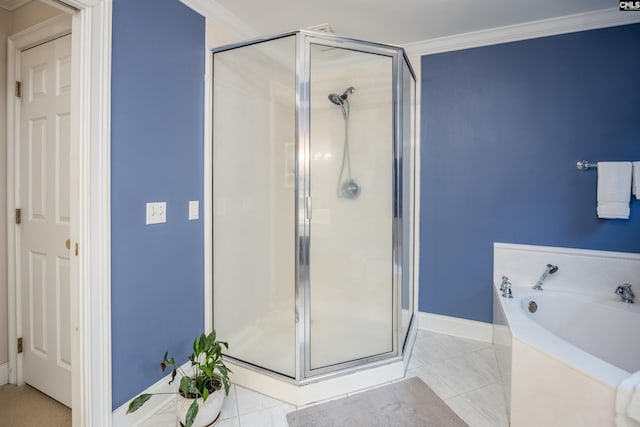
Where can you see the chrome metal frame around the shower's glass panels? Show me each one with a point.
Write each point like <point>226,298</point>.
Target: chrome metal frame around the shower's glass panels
<point>402,343</point>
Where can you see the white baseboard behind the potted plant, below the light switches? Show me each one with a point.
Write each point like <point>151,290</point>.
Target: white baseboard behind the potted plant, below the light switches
<point>119,417</point>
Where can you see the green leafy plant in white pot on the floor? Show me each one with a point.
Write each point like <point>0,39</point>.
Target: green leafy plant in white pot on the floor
<point>200,395</point>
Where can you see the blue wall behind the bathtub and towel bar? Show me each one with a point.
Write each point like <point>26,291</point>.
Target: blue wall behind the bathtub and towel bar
<point>502,129</point>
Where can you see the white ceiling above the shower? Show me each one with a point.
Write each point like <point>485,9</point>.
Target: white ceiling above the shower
<point>399,21</point>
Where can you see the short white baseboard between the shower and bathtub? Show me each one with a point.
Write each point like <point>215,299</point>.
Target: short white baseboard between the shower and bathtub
<point>455,326</point>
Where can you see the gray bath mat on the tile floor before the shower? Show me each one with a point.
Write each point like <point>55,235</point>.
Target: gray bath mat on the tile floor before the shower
<point>402,404</point>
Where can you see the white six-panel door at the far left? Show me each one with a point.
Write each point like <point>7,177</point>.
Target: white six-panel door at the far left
<point>43,197</point>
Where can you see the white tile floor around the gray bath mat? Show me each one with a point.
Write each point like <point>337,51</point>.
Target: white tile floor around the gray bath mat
<point>462,372</point>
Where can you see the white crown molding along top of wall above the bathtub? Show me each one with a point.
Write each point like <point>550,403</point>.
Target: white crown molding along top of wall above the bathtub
<point>610,17</point>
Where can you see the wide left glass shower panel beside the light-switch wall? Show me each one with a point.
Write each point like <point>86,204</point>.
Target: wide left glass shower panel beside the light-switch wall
<point>254,203</point>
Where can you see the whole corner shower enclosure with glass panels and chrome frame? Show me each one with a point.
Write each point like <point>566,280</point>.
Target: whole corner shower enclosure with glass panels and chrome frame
<point>313,192</point>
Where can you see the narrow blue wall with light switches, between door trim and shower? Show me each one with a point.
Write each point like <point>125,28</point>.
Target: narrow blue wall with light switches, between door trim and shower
<point>157,154</point>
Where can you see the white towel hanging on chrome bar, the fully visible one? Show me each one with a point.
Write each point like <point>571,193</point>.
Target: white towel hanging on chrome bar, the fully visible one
<point>614,189</point>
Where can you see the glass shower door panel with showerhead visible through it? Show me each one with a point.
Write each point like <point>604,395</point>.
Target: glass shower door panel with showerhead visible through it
<point>351,161</point>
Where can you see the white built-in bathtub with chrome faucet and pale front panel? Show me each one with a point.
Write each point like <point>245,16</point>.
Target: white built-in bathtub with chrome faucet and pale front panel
<point>561,364</point>
